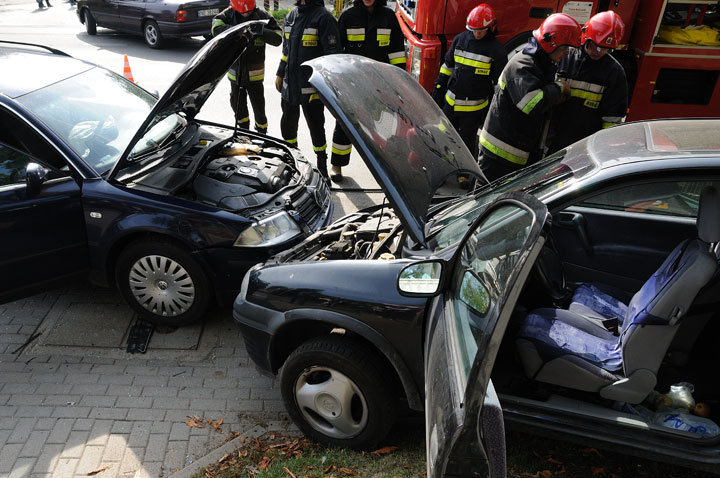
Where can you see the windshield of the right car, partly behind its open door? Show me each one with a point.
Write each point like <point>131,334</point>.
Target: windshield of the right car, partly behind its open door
<point>450,223</point>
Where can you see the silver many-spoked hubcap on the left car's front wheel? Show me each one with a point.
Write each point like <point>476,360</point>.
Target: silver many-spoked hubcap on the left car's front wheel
<point>161,285</point>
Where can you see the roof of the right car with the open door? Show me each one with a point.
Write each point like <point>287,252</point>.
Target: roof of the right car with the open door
<point>654,140</point>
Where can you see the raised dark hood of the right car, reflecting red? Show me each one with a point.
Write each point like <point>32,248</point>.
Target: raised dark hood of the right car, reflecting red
<point>406,141</point>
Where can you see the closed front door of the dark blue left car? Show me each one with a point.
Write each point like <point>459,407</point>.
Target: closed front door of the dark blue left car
<point>42,229</point>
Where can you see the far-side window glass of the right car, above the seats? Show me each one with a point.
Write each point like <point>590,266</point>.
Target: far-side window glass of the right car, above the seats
<point>669,198</point>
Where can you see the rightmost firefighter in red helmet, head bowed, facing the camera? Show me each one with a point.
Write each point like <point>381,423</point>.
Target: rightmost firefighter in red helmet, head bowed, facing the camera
<point>599,93</point>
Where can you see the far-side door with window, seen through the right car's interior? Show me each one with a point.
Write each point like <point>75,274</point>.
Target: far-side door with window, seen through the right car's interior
<point>621,234</point>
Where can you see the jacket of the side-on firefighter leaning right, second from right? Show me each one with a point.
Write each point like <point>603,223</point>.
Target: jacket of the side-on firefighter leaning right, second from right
<point>525,96</point>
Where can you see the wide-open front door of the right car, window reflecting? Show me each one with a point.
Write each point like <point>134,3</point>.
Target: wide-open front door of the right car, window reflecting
<point>463,333</point>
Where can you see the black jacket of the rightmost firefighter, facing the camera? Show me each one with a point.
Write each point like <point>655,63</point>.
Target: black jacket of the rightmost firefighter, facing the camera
<point>598,98</point>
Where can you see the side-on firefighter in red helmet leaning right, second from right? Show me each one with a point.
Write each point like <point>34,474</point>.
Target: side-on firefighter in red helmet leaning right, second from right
<point>518,121</point>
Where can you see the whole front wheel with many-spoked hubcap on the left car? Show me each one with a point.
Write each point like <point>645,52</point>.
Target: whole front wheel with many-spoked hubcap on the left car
<point>163,283</point>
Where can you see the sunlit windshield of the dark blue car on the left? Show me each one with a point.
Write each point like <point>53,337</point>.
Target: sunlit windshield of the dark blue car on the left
<point>96,113</point>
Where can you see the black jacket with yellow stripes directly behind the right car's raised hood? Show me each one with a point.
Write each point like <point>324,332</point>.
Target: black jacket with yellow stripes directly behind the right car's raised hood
<point>377,35</point>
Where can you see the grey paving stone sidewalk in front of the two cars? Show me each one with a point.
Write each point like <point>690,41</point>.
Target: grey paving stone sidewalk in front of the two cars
<point>68,410</point>
